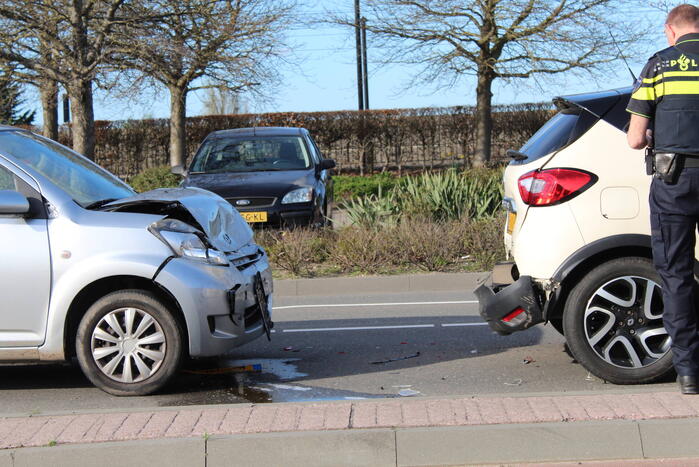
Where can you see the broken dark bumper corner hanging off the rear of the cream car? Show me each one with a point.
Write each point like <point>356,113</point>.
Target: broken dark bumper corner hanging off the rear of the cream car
<point>508,303</point>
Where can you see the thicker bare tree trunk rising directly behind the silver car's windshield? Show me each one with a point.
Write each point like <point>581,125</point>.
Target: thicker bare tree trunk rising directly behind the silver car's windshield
<point>83,118</point>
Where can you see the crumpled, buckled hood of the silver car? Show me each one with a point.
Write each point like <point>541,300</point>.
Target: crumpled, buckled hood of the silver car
<point>221,222</point>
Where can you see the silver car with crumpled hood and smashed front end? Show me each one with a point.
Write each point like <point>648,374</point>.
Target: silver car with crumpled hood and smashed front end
<point>129,284</point>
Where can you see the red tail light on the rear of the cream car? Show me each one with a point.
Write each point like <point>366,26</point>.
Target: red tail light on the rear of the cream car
<point>553,186</point>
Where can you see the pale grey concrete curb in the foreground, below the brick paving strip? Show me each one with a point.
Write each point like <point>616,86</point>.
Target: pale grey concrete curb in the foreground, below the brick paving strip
<point>514,443</point>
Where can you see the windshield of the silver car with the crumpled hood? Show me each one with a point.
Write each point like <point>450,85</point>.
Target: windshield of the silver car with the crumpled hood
<point>85,182</point>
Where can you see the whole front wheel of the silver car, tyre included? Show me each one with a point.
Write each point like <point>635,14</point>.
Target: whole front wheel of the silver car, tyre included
<point>134,327</point>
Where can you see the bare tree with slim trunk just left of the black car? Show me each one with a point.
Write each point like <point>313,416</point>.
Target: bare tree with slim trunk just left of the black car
<point>232,43</point>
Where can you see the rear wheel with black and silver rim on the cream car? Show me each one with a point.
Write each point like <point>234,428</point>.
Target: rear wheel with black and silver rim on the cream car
<point>613,323</point>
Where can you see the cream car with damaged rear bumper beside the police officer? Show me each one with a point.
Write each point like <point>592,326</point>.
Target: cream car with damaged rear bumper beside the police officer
<point>578,237</point>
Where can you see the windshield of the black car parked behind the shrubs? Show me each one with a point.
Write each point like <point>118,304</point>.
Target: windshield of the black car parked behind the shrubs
<point>251,154</point>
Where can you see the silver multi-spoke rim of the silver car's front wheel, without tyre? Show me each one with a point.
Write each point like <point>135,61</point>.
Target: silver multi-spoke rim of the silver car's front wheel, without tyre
<point>128,345</point>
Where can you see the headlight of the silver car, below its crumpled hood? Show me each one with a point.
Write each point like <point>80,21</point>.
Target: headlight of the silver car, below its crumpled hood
<point>186,241</point>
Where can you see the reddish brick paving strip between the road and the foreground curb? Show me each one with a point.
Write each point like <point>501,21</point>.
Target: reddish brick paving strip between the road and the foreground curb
<point>43,430</point>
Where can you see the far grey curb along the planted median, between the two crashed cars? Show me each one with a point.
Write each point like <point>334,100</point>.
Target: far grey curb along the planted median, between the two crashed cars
<point>378,284</point>
